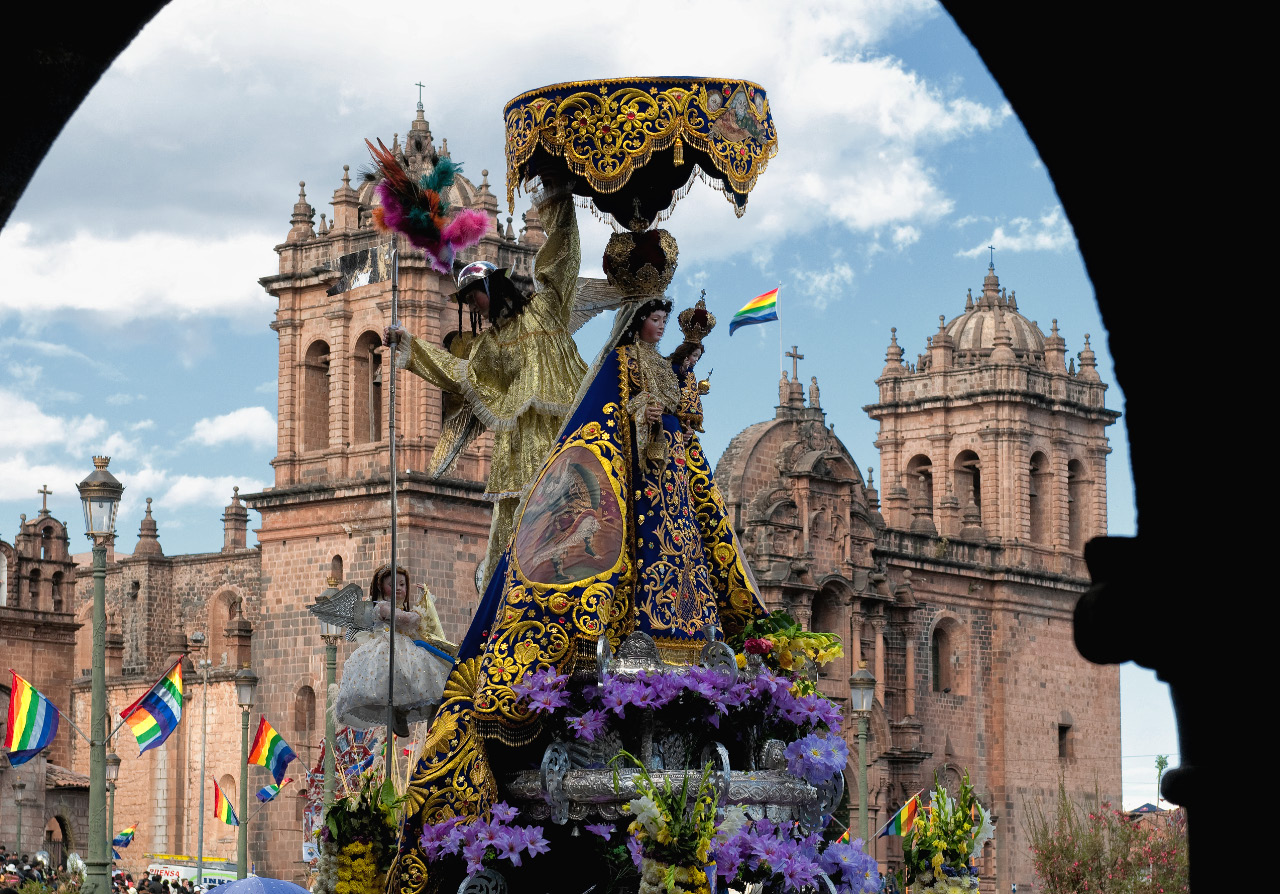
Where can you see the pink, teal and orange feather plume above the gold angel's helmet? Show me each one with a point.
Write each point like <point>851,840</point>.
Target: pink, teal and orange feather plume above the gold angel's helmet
<point>420,212</point>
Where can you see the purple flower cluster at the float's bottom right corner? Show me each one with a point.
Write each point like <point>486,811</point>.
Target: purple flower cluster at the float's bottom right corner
<point>785,860</point>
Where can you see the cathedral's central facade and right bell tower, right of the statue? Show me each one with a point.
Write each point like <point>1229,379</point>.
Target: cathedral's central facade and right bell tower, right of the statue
<point>961,608</point>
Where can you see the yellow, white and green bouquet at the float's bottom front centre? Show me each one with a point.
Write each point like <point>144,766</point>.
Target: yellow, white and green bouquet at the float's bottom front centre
<point>673,831</point>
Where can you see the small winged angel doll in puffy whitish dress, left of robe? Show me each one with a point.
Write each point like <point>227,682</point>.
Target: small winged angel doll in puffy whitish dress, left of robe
<point>423,662</point>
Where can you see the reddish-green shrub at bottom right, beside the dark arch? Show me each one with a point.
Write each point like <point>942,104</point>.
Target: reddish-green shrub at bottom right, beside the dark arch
<point>1096,850</point>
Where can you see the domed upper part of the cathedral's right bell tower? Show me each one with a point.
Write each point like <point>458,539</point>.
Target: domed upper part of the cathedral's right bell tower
<point>991,437</point>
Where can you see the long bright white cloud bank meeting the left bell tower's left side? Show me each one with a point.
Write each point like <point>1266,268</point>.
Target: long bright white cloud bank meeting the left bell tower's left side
<point>139,276</point>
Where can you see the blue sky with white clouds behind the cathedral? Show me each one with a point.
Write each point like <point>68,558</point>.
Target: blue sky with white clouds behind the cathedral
<point>132,323</point>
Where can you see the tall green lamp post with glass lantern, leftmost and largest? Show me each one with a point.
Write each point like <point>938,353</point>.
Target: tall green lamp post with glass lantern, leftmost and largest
<point>100,496</point>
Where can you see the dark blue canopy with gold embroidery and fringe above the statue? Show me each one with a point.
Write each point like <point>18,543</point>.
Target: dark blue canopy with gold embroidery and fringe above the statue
<point>609,130</point>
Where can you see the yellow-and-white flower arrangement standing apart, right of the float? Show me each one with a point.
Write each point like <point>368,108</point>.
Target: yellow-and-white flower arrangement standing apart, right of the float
<point>940,846</point>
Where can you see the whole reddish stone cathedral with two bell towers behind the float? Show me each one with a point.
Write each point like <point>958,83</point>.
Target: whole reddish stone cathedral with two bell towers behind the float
<point>956,586</point>
